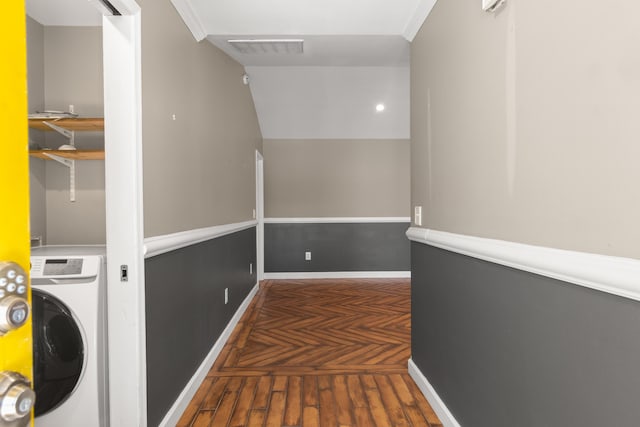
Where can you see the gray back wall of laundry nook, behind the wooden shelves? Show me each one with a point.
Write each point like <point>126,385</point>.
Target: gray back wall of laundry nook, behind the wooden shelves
<point>73,75</point>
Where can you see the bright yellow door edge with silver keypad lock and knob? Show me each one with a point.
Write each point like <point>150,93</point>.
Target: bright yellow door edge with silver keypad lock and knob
<point>16,364</point>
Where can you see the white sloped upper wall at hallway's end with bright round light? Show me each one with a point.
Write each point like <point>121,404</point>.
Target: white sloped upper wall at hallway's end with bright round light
<point>331,102</point>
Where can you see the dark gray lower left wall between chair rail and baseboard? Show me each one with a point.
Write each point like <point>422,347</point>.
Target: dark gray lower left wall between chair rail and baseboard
<point>186,313</point>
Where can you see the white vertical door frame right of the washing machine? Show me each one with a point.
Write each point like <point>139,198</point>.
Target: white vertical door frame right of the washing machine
<point>124,215</point>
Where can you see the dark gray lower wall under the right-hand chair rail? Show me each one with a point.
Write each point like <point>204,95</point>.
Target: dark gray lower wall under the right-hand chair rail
<point>503,347</point>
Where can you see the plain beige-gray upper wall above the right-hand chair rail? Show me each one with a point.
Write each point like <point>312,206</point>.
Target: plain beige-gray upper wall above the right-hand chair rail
<point>524,123</point>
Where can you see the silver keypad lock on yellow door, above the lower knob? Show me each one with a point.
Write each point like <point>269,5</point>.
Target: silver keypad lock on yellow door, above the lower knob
<point>14,307</point>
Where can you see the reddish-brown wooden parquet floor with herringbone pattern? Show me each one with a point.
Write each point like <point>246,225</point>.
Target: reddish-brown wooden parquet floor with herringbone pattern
<point>316,353</point>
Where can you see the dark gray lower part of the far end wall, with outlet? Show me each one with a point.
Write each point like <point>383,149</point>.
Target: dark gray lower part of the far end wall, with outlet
<point>336,247</point>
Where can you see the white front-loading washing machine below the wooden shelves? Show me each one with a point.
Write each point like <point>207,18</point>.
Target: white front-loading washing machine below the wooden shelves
<point>68,286</point>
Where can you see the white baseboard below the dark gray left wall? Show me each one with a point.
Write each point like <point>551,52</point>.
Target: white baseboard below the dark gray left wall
<point>177,409</point>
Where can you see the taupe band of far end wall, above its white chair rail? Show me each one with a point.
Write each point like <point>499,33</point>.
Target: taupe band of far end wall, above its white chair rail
<point>336,178</point>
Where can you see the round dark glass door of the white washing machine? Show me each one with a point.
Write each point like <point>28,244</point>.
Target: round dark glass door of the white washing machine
<point>58,351</point>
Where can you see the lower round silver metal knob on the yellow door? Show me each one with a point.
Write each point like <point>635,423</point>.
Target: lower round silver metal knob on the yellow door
<point>16,398</point>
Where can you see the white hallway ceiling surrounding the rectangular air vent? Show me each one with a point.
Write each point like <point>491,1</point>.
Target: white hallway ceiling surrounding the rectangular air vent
<point>335,32</point>
